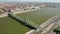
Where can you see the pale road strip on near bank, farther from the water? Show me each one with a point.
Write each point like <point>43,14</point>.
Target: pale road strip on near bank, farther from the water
<point>51,26</point>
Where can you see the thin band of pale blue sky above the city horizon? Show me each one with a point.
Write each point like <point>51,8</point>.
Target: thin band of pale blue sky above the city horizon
<point>30,1</point>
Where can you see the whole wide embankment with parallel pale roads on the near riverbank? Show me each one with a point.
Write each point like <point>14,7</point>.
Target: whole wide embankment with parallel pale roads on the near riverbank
<point>48,25</point>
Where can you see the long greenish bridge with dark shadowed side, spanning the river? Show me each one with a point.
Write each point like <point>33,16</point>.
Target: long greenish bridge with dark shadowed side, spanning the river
<point>28,23</point>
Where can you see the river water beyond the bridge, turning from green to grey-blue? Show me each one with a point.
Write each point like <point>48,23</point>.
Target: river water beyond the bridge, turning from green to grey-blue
<point>41,15</point>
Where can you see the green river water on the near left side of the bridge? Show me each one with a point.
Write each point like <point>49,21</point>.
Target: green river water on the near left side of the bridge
<point>10,26</point>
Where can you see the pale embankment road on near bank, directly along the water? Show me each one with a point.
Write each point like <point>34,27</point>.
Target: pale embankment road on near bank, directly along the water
<point>46,24</point>
